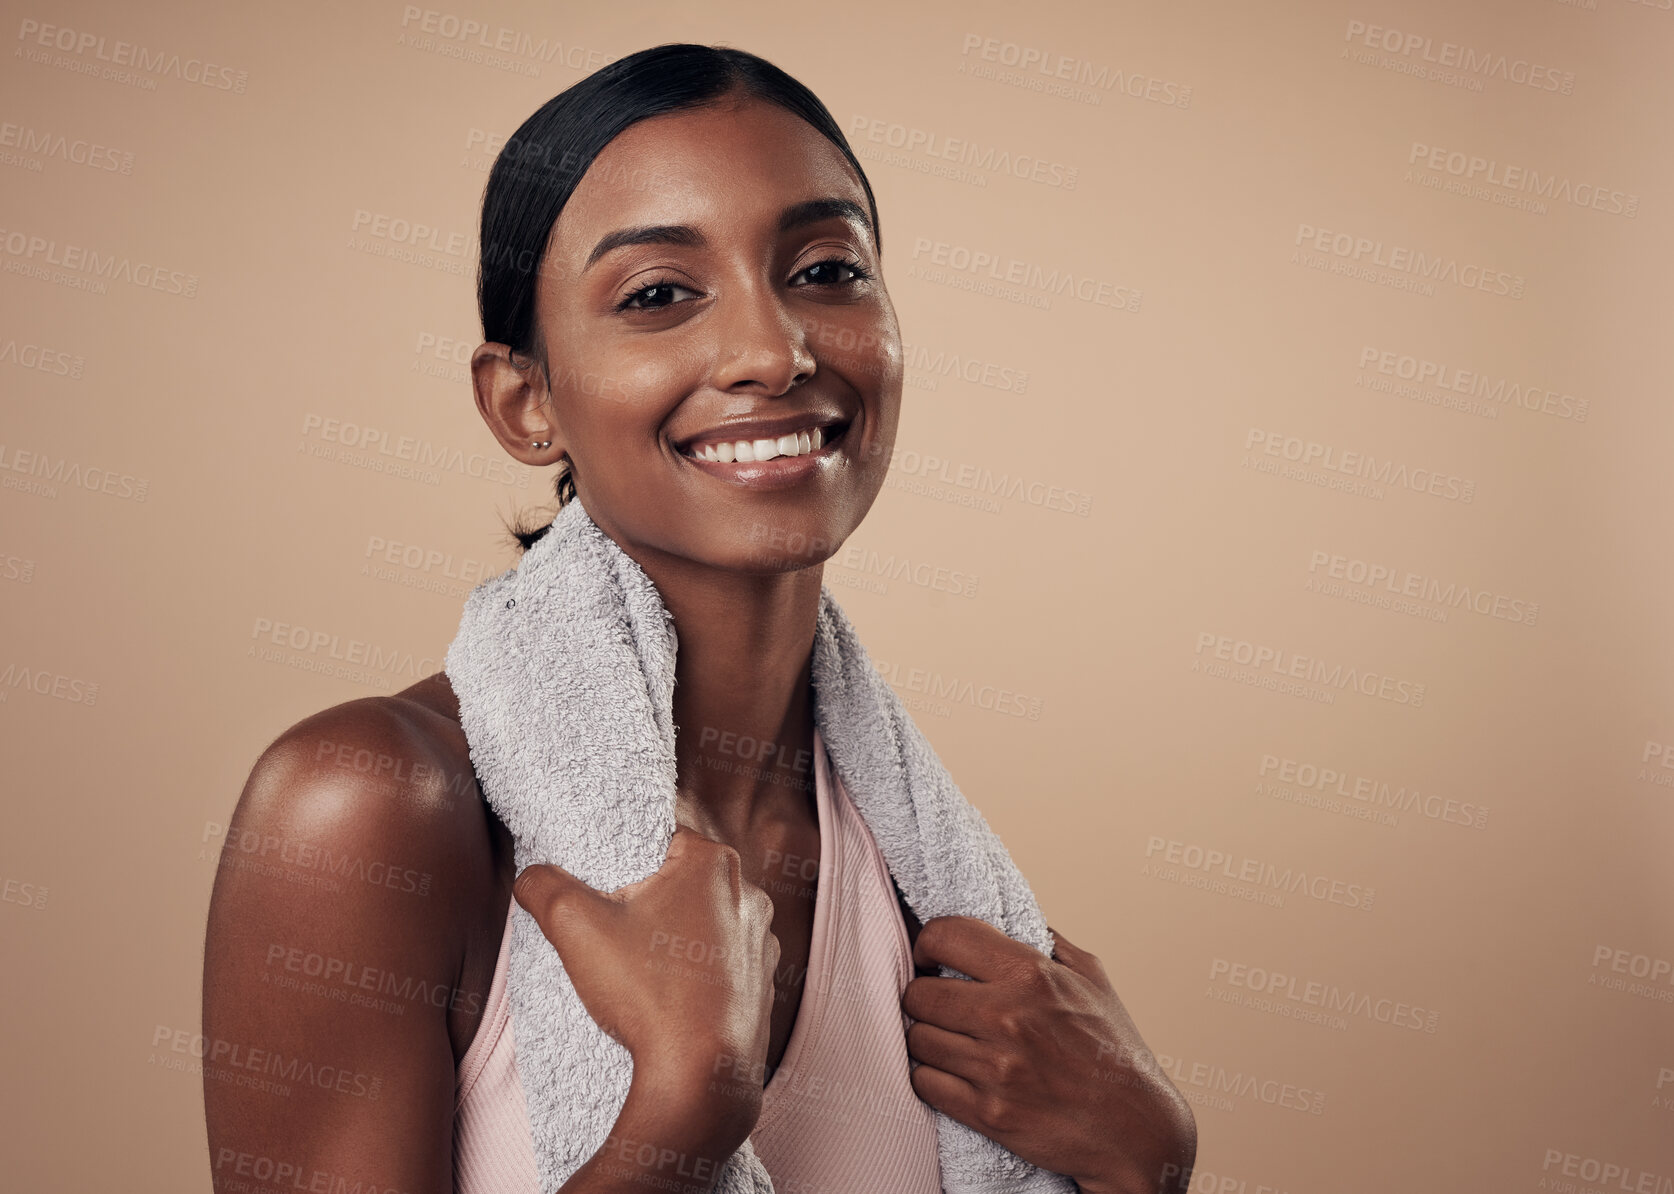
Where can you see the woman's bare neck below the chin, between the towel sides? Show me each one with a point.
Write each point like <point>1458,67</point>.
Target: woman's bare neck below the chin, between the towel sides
<point>744,697</point>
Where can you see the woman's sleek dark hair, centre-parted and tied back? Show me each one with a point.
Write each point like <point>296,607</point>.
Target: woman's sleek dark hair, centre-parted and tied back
<point>543,163</point>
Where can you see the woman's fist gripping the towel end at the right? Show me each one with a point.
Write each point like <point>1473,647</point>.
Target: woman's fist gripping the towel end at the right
<point>1040,1056</point>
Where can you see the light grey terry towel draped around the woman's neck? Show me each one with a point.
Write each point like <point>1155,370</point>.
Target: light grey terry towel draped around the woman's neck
<point>565,672</point>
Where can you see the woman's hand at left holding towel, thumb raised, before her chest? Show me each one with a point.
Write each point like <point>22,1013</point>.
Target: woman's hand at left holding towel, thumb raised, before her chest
<point>679,969</point>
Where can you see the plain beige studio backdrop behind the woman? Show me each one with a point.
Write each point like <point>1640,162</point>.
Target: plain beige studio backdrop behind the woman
<point>162,503</point>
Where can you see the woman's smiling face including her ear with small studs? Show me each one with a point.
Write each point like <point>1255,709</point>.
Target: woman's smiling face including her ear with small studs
<point>714,284</point>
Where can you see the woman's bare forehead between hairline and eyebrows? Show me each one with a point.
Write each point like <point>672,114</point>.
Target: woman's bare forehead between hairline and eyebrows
<point>734,167</point>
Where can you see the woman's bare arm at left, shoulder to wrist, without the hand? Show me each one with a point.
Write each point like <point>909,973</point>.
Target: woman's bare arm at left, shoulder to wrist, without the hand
<point>336,991</point>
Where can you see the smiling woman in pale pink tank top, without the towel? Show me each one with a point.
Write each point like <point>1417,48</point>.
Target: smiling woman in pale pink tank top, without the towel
<point>684,311</point>
